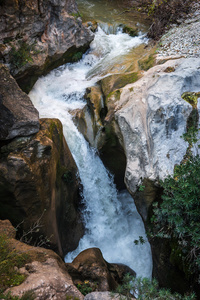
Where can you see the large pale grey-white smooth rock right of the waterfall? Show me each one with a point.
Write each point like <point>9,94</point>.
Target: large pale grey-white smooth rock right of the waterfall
<point>152,117</point>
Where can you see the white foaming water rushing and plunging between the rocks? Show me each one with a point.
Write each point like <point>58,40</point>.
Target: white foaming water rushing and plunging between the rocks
<point>111,219</point>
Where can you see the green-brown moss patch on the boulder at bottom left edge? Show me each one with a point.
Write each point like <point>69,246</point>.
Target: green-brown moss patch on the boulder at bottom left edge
<point>10,260</point>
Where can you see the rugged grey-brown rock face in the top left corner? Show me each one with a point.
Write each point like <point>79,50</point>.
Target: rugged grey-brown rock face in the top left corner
<point>36,36</point>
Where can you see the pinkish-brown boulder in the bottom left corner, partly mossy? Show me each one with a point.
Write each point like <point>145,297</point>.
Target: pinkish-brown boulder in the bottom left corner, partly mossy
<point>45,273</point>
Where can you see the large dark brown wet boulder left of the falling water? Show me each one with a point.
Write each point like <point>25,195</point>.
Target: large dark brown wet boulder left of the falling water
<point>39,188</point>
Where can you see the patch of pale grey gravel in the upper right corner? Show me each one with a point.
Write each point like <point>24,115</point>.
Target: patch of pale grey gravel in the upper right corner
<point>182,40</point>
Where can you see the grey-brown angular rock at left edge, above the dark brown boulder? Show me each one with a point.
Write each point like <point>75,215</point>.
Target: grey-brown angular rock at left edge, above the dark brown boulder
<point>18,116</point>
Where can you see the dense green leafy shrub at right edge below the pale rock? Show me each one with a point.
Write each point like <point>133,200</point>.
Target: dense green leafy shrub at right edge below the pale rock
<point>177,217</point>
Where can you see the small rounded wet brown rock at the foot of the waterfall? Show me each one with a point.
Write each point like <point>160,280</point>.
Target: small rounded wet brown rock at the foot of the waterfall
<point>90,265</point>
